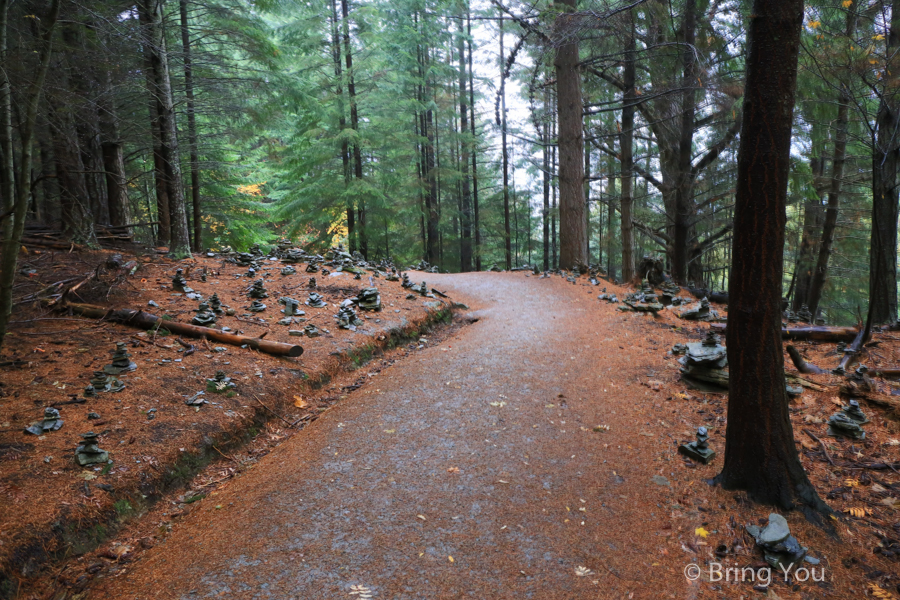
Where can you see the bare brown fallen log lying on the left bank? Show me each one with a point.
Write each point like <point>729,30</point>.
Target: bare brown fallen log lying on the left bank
<point>145,320</point>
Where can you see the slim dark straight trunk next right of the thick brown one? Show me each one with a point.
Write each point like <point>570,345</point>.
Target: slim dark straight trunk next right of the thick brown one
<point>626,150</point>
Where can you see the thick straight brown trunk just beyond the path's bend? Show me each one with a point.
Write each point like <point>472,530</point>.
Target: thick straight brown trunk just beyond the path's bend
<point>572,238</point>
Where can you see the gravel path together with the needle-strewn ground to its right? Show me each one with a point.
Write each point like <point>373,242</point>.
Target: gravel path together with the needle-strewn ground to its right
<point>472,469</point>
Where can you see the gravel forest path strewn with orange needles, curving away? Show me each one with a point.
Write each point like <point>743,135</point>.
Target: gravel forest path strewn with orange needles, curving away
<point>469,469</point>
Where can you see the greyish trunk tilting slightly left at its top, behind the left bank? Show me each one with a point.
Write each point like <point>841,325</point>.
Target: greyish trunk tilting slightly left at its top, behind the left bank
<point>161,90</point>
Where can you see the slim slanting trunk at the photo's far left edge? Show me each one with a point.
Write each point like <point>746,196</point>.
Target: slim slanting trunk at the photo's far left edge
<point>9,252</point>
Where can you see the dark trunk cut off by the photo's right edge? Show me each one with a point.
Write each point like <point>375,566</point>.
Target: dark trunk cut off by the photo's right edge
<point>885,162</point>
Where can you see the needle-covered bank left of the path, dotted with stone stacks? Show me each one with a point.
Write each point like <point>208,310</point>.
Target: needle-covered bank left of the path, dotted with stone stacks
<point>53,508</point>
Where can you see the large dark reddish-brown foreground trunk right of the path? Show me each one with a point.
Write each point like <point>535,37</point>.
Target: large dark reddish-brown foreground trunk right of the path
<point>760,455</point>
